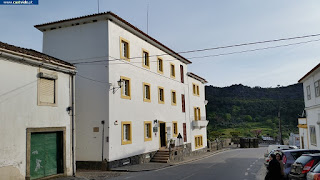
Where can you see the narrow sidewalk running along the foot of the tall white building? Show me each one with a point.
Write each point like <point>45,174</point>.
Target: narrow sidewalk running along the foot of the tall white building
<point>99,175</point>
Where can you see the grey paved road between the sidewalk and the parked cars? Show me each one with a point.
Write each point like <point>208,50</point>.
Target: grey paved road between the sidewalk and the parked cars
<point>235,164</point>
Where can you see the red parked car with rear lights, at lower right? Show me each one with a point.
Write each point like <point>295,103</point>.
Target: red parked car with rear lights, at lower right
<point>303,165</point>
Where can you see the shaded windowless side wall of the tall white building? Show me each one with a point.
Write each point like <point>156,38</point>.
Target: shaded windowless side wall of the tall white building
<point>86,43</point>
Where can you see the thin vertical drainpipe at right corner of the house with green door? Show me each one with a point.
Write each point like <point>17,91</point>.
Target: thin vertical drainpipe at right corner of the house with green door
<point>73,124</point>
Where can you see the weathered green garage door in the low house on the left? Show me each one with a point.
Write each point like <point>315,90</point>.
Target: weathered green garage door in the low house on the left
<point>46,154</point>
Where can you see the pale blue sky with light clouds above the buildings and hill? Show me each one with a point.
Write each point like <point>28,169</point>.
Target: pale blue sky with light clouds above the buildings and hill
<point>184,25</point>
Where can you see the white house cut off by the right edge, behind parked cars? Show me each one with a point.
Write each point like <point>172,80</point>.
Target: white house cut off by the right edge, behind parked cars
<point>311,88</point>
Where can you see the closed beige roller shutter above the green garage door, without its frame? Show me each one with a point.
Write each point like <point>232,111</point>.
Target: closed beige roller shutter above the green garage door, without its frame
<point>47,90</point>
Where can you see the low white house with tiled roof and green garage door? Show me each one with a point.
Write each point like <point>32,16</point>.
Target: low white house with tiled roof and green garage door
<point>36,117</point>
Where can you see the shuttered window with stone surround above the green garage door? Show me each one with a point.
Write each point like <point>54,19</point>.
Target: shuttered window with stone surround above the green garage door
<point>47,89</point>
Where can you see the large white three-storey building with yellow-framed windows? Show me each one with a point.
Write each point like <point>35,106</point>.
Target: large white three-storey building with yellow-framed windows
<point>133,94</point>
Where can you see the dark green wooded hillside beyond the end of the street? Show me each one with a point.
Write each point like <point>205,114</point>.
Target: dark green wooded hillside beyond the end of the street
<point>242,108</point>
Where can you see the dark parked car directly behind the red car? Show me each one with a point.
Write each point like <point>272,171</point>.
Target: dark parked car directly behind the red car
<point>289,156</point>
